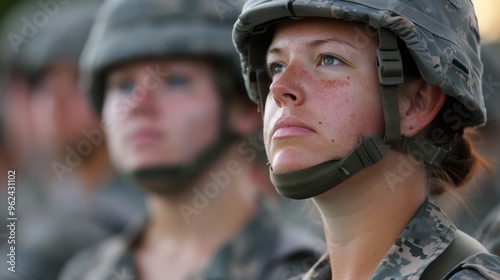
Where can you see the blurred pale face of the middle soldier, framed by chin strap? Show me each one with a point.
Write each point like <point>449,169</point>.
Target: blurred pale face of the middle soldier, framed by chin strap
<point>160,112</point>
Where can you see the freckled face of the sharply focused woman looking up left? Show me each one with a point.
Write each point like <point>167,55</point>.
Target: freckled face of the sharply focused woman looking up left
<point>324,93</point>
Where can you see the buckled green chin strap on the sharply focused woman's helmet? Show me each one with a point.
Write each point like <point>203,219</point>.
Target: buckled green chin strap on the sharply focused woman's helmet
<point>320,178</point>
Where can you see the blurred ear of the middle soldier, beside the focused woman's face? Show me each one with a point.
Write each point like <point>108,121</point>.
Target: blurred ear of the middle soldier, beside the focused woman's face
<point>244,118</point>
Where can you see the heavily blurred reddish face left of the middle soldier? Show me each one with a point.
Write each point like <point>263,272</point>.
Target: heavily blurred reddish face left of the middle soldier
<point>59,108</point>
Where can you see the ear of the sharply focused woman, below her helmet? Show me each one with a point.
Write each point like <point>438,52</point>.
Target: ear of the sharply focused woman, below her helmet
<point>419,107</point>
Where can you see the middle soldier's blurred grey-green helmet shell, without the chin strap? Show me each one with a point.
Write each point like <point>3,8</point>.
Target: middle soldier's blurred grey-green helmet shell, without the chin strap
<point>127,30</point>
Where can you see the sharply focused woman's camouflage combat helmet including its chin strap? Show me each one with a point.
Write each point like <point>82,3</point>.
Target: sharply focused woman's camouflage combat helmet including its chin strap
<point>442,37</point>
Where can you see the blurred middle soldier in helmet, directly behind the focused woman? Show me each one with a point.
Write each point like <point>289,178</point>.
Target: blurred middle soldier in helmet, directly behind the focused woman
<point>164,75</point>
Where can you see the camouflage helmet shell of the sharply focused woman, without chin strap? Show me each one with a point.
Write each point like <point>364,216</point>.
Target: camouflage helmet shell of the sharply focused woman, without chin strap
<point>442,37</point>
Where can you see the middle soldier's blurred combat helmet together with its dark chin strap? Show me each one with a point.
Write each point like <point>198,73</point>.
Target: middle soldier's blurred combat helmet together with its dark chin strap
<point>130,30</point>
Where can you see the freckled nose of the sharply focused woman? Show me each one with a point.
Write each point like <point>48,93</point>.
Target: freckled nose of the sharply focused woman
<point>287,88</point>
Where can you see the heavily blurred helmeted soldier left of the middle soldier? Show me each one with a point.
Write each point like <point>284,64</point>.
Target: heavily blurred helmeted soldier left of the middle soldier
<point>68,196</point>
